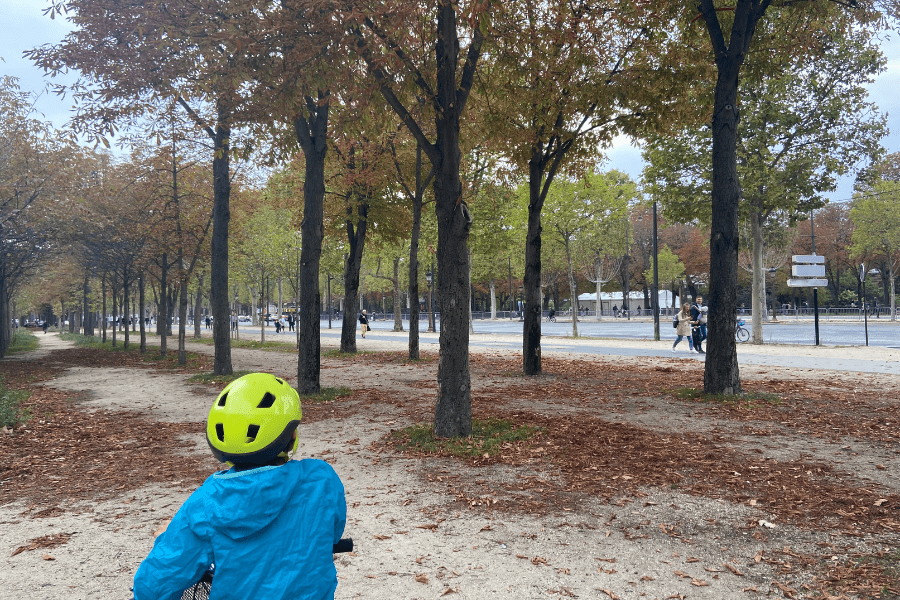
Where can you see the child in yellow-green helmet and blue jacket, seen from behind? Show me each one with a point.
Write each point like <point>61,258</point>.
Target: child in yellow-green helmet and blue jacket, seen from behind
<point>268,523</point>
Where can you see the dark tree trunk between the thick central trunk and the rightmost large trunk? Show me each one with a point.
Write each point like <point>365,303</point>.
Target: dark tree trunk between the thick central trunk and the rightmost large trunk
<point>531,332</point>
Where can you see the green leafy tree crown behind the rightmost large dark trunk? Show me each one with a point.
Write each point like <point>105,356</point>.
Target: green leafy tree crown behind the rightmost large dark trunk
<point>799,130</point>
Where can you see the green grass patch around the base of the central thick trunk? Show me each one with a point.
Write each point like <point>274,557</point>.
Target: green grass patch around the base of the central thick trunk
<point>488,437</point>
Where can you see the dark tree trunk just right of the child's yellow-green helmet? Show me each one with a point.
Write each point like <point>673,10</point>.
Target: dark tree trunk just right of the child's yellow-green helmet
<point>312,135</point>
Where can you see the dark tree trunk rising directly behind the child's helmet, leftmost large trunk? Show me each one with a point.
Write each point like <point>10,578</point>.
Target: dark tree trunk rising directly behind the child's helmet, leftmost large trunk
<point>218,278</point>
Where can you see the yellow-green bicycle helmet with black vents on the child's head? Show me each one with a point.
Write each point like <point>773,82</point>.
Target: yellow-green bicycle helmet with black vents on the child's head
<point>253,419</point>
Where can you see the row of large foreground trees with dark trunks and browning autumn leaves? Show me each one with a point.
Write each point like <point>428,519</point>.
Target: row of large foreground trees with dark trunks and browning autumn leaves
<point>548,83</point>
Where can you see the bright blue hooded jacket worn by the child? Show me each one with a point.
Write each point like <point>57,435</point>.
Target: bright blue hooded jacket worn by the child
<point>269,531</point>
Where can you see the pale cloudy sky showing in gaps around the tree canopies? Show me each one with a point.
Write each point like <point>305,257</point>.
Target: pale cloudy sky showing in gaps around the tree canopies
<point>25,26</point>
